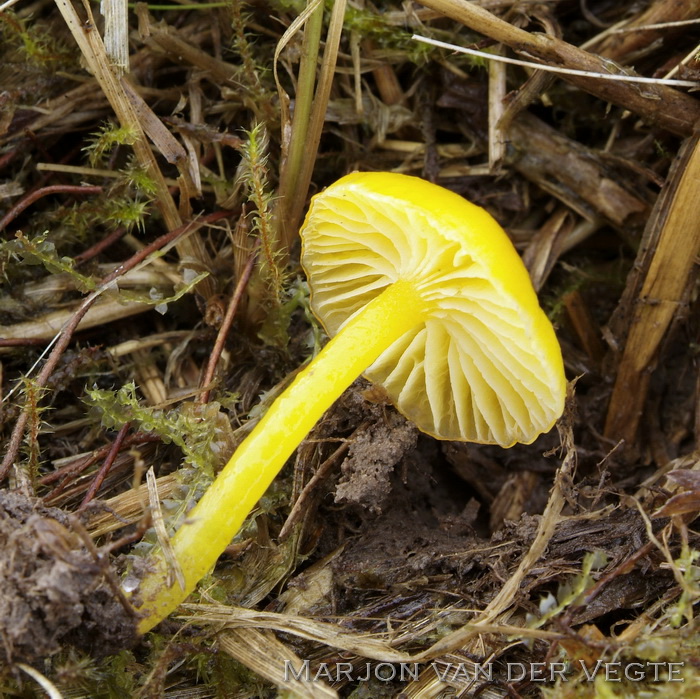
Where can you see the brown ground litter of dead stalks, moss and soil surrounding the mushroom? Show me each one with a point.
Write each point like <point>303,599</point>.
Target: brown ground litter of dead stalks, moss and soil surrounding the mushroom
<point>152,306</point>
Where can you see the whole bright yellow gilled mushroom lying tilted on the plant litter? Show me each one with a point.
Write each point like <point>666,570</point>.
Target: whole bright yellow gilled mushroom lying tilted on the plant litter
<point>422,292</point>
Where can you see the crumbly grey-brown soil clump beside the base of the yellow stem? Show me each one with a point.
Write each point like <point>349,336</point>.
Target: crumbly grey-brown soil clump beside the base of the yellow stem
<point>55,592</point>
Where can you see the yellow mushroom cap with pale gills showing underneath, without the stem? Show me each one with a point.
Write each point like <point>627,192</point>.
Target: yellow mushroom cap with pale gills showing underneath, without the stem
<point>483,365</point>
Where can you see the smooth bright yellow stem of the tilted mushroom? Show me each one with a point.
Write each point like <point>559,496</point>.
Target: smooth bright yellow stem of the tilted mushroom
<point>217,517</point>
